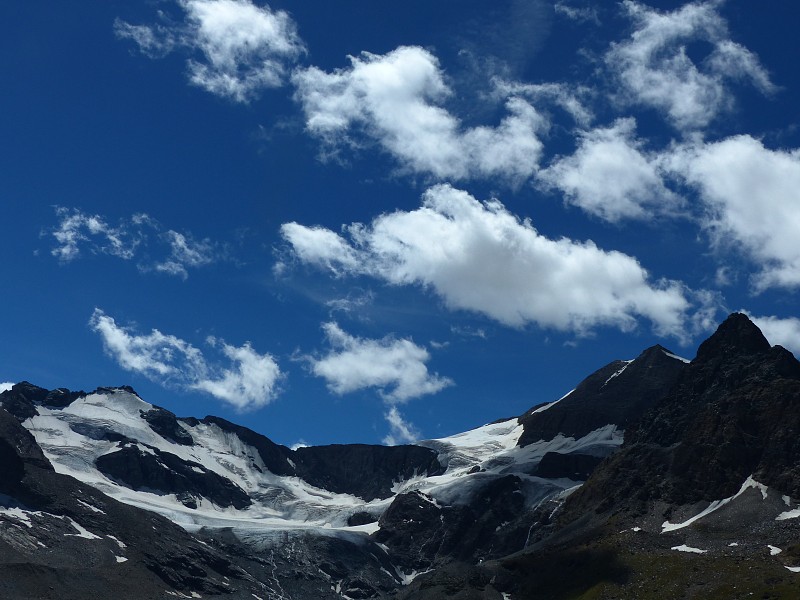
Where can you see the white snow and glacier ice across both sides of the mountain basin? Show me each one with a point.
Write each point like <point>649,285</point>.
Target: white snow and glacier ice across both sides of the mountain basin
<point>74,439</point>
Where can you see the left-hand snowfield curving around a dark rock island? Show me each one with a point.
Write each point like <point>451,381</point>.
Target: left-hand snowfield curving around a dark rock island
<point>75,437</point>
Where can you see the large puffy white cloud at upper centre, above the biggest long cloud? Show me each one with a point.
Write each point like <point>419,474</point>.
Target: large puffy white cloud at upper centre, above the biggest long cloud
<point>397,100</point>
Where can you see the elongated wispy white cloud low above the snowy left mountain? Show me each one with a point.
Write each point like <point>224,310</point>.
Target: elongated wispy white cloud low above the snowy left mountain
<point>250,382</point>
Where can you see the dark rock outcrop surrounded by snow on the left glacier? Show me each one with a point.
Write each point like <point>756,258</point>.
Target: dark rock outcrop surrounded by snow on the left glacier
<point>165,473</point>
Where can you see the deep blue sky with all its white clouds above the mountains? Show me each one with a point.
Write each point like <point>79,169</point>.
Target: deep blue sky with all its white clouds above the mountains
<point>360,222</point>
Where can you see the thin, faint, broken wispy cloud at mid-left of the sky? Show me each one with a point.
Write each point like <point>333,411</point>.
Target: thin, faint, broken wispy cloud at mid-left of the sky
<point>138,237</point>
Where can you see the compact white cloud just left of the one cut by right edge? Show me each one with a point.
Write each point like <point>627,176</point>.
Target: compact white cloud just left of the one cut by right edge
<point>611,176</point>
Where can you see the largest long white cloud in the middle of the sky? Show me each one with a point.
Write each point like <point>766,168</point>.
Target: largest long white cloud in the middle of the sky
<point>479,257</point>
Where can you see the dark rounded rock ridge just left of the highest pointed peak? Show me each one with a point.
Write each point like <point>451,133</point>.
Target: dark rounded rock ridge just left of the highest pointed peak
<point>619,394</point>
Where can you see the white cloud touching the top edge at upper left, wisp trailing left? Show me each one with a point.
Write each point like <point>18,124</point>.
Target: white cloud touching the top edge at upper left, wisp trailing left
<point>238,48</point>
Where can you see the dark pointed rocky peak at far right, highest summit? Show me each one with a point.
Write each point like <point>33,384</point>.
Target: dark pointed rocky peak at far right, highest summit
<point>734,412</point>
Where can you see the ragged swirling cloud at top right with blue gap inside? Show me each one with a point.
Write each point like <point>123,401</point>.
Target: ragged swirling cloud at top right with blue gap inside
<point>655,69</point>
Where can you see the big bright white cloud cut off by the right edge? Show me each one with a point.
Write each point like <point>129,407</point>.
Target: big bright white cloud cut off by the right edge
<point>752,195</point>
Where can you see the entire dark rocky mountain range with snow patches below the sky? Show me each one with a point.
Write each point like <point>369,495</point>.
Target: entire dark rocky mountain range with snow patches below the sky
<point>656,477</point>
